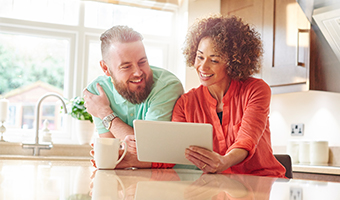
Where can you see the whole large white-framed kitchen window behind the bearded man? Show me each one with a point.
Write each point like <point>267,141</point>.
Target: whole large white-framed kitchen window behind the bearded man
<point>53,46</point>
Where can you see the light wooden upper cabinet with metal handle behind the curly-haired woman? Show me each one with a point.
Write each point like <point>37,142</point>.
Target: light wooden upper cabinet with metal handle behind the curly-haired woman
<point>284,30</point>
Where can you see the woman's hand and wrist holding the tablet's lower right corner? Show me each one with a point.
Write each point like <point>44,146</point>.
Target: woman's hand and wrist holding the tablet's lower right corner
<point>212,162</point>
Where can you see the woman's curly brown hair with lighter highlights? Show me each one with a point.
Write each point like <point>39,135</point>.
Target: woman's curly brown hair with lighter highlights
<point>237,43</point>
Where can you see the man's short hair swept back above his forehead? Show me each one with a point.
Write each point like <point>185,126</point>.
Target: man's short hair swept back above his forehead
<point>120,34</point>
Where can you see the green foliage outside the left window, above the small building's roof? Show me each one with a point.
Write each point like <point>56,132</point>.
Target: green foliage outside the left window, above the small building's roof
<point>17,70</point>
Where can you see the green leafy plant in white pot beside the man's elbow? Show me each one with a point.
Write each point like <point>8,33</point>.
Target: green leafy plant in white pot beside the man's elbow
<point>84,123</point>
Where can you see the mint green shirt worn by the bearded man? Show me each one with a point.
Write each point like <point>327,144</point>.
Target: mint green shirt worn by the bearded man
<point>167,88</point>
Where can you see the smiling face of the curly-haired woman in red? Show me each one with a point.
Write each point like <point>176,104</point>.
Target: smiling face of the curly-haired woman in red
<point>210,67</point>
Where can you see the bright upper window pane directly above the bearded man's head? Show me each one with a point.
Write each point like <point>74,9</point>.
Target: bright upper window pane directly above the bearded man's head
<point>143,20</point>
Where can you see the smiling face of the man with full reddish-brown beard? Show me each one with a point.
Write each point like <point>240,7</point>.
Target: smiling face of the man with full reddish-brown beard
<point>128,66</point>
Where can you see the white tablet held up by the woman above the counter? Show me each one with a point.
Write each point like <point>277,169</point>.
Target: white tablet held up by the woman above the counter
<point>165,142</point>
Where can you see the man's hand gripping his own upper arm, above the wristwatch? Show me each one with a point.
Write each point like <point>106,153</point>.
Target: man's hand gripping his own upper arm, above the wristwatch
<point>97,105</point>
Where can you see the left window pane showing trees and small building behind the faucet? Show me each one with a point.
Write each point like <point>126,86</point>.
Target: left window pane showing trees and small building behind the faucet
<point>31,65</point>
